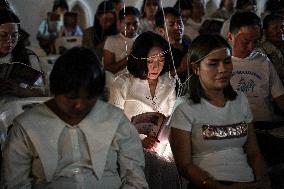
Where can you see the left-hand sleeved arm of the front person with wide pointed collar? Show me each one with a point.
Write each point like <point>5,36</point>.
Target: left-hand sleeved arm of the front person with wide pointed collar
<point>17,160</point>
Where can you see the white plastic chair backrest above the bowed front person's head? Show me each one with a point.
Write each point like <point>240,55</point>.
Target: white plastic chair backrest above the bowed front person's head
<point>67,42</point>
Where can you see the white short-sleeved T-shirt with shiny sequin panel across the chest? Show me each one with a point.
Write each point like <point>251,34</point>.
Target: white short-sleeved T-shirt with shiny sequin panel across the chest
<point>218,135</point>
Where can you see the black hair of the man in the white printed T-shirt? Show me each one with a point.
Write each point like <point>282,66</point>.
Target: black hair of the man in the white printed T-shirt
<point>241,19</point>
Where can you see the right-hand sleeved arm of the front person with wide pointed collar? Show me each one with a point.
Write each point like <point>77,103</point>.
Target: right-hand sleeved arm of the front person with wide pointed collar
<point>131,157</point>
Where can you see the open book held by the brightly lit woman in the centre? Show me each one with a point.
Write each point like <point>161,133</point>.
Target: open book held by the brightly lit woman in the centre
<point>149,123</point>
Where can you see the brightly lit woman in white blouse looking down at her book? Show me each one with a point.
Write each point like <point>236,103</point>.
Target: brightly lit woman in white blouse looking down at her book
<point>147,96</point>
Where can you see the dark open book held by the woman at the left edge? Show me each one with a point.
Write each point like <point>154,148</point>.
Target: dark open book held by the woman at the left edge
<point>19,72</point>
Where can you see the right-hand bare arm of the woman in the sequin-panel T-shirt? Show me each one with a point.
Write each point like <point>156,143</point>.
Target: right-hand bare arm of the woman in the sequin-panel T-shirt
<point>255,159</point>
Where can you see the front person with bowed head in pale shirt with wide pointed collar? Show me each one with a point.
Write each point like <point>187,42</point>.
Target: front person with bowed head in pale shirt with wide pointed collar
<point>74,140</point>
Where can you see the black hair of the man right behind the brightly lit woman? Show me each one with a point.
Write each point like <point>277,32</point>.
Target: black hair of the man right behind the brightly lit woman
<point>160,19</point>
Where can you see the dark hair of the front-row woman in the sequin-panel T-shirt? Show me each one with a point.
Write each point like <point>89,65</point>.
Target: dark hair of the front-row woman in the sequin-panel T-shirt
<point>198,50</point>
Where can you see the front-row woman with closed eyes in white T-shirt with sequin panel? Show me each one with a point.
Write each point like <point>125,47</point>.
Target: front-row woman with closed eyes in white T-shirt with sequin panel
<point>212,137</point>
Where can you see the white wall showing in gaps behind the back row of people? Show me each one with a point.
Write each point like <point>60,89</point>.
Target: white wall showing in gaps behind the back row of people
<point>31,12</point>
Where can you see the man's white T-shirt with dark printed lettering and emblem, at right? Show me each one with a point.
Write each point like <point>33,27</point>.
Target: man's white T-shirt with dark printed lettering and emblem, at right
<point>258,79</point>
